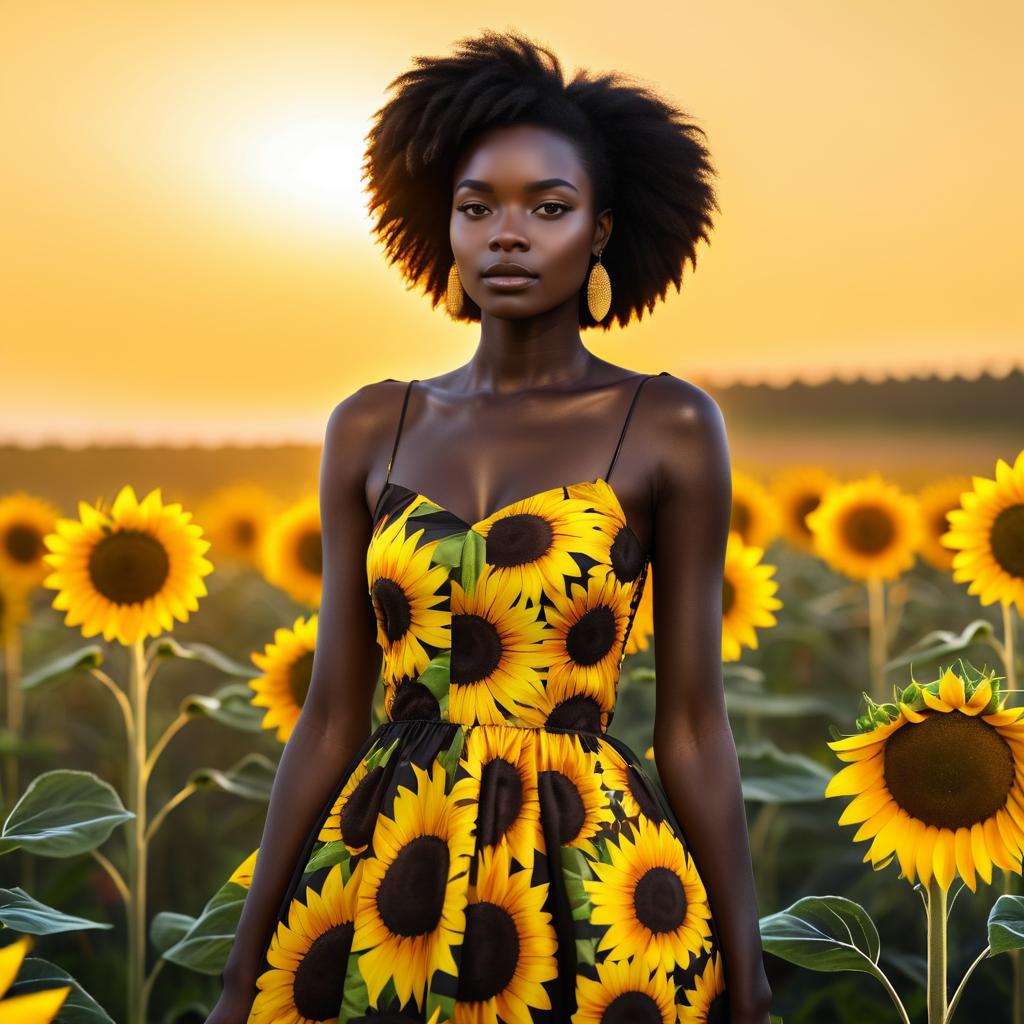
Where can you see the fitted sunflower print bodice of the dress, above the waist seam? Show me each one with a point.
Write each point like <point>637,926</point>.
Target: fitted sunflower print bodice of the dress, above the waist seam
<point>521,619</point>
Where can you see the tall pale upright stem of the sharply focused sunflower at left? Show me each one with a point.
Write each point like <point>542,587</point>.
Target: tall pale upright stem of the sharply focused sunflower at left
<point>138,992</point>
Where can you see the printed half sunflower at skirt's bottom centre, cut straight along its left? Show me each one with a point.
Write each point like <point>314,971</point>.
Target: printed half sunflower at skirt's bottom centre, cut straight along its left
<point>509,949</point>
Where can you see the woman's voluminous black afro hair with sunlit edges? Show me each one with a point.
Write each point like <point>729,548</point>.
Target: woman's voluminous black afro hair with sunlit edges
<point>645,157</point>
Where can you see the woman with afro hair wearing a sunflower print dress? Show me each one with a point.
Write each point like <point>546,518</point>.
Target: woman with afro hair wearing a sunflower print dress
<point>490,854</point>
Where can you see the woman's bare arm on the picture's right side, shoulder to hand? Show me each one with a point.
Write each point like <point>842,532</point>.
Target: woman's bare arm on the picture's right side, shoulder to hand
<point>694,744</point>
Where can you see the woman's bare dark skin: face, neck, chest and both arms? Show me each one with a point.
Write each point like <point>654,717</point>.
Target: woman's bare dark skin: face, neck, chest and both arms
<point>532,409</point>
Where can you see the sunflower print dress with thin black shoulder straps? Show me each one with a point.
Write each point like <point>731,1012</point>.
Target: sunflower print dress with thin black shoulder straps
<point>492,855</point>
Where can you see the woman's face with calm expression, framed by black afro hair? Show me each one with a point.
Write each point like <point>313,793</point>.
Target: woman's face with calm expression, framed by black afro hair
<point>507,207</point>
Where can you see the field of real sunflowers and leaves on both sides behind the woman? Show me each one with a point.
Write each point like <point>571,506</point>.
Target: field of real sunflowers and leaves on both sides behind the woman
<point>156,659</point>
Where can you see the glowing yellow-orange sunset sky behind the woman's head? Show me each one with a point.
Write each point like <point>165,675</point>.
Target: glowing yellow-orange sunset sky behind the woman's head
<point>187,255</point>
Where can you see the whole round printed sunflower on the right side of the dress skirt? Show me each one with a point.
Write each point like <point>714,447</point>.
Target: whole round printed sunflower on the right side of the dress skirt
<point>652,899</point>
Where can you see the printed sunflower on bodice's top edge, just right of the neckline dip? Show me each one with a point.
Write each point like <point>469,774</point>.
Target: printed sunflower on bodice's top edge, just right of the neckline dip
<point>531,542</point>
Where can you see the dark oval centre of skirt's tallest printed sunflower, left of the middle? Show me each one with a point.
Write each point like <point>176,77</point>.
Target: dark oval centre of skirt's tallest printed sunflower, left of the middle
<point>421,868</point>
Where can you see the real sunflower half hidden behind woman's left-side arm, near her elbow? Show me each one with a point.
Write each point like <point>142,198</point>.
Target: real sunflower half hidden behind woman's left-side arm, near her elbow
<point>287,665</point>
